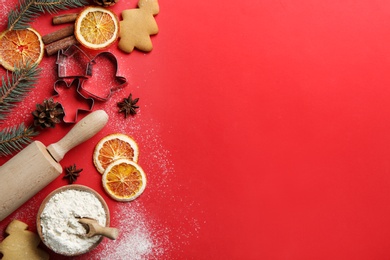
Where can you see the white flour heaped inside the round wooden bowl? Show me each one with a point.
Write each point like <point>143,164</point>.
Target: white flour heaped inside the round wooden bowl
<point>60,227</point>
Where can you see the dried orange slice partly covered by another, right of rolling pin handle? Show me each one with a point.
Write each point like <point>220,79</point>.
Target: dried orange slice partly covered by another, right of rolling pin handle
<point>114,147</point>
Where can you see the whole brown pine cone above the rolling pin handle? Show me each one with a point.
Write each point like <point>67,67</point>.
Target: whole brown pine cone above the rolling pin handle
<point>48,114</point>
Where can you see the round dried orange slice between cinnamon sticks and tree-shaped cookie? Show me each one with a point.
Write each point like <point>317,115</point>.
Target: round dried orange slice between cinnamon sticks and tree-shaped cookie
<point>96,27</point>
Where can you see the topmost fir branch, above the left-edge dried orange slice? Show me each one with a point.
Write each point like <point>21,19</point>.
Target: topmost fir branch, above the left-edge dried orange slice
<point>28,10</point>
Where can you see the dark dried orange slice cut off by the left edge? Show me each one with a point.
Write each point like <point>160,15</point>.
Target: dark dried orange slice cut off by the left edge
<point>19,47</point>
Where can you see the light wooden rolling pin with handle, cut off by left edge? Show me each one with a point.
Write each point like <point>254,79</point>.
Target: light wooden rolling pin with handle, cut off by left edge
<point>36,166</point>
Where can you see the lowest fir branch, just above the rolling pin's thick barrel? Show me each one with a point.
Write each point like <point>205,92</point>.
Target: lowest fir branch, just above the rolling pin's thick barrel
<point>13,139</point>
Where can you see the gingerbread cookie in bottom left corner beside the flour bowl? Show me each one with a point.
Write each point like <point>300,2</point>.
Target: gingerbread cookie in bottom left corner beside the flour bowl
<point>21,244</point>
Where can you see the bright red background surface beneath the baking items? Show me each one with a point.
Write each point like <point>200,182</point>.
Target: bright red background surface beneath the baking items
<point>263,130</point>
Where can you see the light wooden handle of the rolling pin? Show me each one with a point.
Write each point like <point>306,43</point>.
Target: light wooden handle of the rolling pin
<point>82,131</point>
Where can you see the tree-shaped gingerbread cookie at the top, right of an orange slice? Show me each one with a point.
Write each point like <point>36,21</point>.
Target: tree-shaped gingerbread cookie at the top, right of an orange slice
<point>137,26</point>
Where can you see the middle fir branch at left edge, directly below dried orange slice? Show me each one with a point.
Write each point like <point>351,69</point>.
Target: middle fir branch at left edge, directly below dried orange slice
<point>15,87</point>
